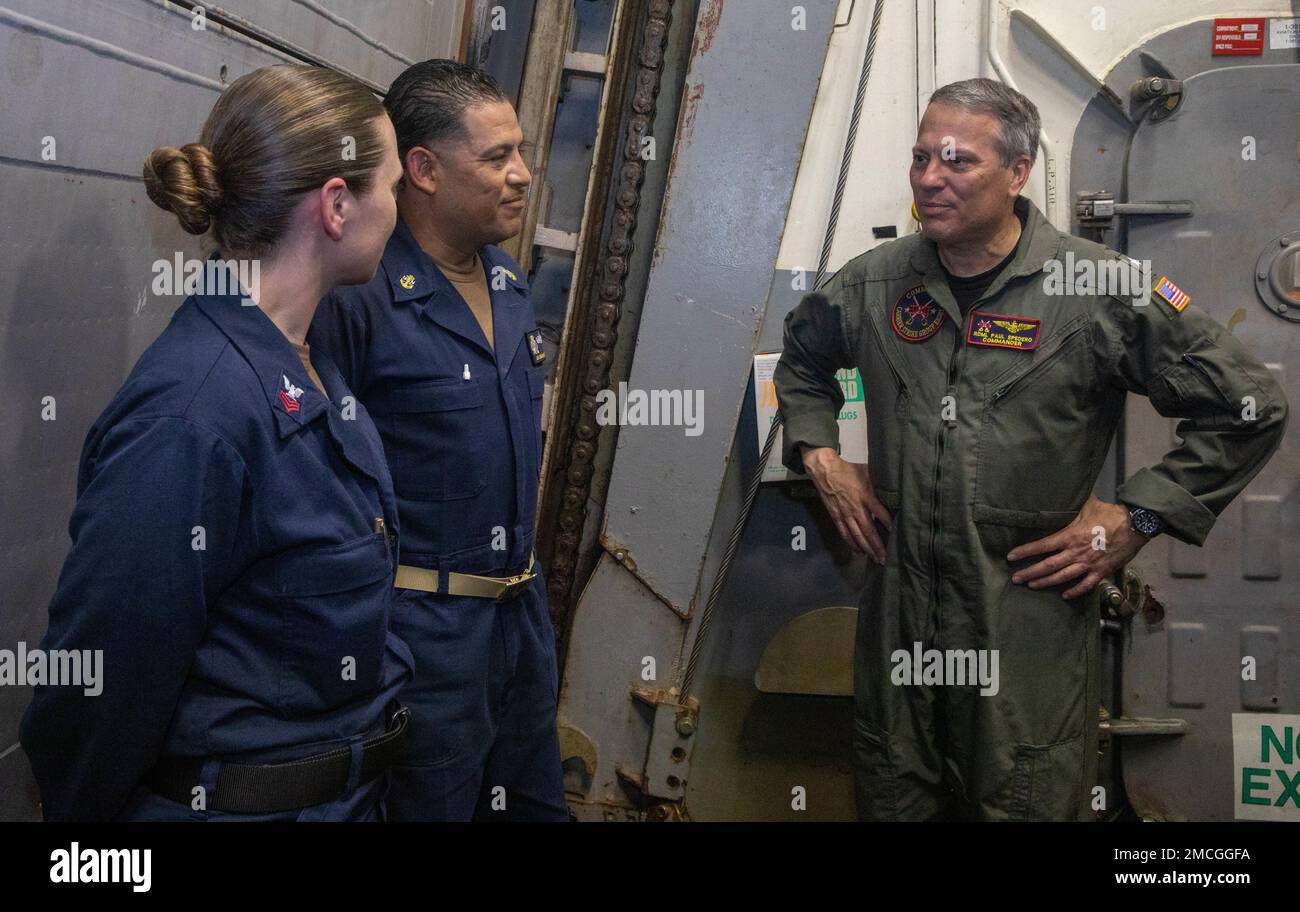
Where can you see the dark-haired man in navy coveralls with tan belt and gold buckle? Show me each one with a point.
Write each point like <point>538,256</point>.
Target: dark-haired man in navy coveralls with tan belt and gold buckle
<point>443,349</point>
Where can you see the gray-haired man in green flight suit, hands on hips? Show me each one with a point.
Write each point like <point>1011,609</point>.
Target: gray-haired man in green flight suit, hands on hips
<point>996,372</point>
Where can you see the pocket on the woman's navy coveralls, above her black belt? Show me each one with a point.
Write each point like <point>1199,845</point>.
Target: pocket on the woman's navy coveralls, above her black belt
<point>333,609</point>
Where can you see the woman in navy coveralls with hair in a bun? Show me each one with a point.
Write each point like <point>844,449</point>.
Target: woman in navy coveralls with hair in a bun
<point>235,538</point>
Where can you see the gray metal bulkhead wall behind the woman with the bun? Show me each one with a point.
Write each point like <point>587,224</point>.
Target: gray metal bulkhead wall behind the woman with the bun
<point>101,84</point>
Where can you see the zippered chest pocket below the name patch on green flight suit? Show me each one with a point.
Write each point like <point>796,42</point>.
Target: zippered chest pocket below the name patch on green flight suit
<point>1035,450</point>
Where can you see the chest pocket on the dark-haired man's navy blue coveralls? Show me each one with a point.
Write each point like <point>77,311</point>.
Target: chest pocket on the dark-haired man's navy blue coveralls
<point>436,441</point>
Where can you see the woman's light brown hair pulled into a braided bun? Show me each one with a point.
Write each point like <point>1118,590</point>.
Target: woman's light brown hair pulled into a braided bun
<point>275,136</point>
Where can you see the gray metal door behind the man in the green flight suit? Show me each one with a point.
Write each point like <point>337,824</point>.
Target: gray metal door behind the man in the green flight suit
<point>1233,598</point>
